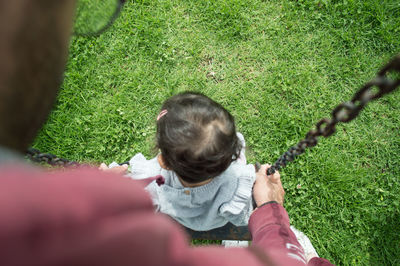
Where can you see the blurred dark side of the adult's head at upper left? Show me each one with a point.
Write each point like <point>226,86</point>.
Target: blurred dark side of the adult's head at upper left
<point>34,37</point>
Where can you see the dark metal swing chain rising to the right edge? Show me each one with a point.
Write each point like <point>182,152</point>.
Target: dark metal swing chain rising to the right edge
<point>344,112</point>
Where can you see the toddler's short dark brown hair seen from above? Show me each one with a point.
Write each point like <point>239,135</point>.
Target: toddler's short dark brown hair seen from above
<point>197,137</point>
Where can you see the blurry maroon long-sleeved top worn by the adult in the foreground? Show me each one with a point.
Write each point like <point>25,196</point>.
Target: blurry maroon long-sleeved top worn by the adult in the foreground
<point>87,217</point>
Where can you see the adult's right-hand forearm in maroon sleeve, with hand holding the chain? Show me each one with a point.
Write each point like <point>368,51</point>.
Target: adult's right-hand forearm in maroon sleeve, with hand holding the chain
<point>269,223</point>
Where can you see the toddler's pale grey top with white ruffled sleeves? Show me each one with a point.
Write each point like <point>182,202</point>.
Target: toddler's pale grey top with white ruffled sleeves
<point>227,198</point>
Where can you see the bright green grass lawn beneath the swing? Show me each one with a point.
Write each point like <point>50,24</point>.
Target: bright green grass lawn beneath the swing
<point>278,66</point>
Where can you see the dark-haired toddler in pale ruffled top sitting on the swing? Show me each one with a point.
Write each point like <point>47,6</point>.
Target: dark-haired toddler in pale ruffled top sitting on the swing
<point>206,182</point>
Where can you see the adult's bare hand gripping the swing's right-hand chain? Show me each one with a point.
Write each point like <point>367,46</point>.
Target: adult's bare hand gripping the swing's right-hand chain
<point>267,188</point>
